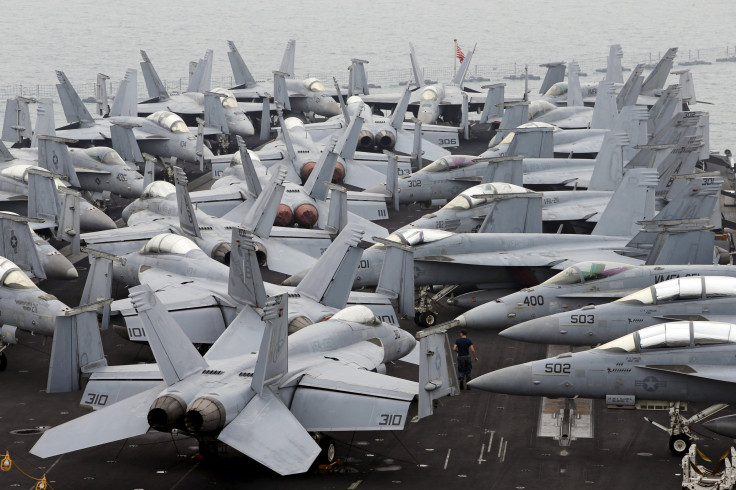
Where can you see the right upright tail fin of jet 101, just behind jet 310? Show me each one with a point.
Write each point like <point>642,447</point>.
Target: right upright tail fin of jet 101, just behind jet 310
<point>329,281</point>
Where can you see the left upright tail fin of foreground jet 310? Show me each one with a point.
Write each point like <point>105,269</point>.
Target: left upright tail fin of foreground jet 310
<point>175,355</point>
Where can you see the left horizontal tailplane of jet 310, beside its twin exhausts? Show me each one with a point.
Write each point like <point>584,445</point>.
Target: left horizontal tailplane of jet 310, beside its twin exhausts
<point>128,418</point>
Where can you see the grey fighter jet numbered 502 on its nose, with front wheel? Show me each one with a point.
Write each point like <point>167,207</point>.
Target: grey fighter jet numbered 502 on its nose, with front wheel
<point>678,362</point>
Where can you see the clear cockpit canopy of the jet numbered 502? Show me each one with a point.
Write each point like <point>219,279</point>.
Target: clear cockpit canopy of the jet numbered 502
<point>675,334</point>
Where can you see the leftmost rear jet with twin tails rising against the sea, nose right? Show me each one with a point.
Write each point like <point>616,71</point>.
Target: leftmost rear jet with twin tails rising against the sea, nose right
<point>163,133</point>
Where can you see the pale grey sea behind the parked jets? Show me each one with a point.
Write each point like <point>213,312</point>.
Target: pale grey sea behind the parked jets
<point>83,38</point>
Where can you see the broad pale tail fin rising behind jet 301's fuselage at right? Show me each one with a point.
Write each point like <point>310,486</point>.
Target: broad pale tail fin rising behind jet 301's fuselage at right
<point>633,201</point>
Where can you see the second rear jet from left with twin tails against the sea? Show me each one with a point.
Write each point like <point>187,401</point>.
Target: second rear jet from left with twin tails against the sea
<point>194,102</point>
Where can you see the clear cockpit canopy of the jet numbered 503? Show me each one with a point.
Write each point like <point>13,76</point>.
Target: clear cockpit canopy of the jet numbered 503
<point>683,288</point>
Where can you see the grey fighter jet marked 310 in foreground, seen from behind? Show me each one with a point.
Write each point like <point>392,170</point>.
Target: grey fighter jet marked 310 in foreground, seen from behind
<point>263,404</point>
